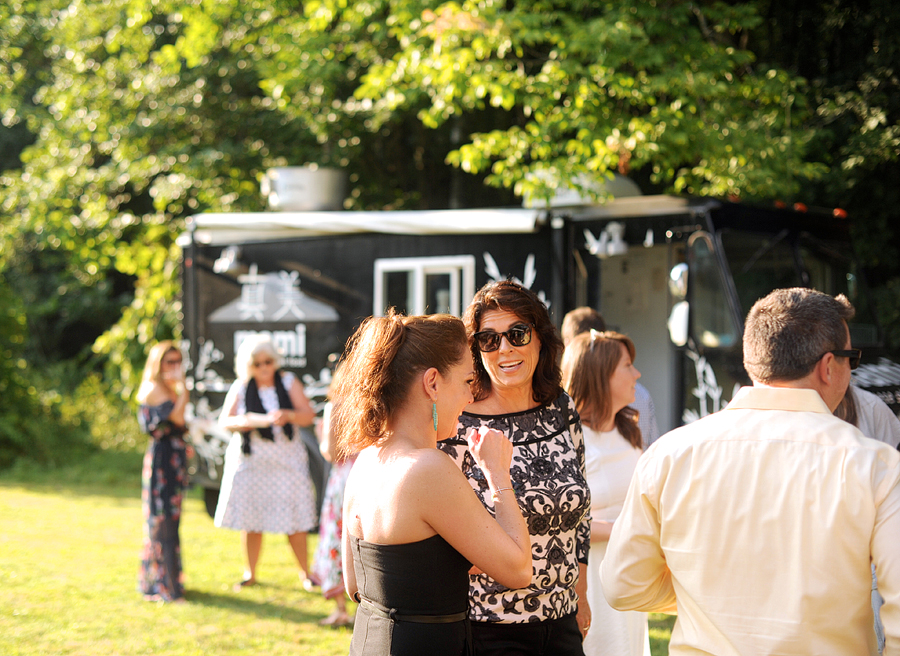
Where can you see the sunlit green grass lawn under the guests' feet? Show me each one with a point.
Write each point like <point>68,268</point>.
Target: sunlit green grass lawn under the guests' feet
<point>69,543</point>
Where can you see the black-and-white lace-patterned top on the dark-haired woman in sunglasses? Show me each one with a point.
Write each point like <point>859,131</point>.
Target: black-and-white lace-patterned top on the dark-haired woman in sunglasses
<point>548,477</point>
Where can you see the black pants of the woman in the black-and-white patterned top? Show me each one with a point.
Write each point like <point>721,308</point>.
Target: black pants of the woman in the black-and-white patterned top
<point>548,638</point>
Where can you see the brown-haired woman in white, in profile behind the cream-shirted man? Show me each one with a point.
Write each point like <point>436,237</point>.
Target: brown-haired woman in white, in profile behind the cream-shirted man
<point>600,376</point>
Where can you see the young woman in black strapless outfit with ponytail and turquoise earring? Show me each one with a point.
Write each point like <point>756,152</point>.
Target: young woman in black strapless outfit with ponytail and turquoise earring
<point>413,527</point>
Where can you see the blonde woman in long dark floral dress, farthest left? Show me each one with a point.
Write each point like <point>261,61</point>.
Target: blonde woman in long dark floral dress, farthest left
<point>162,397</point>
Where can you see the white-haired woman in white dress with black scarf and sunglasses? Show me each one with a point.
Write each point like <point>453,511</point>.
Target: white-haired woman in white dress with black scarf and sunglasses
<point>266,486</point>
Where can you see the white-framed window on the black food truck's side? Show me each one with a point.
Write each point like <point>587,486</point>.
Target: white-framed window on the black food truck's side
<point>424,285</point>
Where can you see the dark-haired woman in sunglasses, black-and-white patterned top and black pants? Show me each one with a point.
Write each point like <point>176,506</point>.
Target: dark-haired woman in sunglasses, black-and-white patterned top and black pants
<point>516,351</point>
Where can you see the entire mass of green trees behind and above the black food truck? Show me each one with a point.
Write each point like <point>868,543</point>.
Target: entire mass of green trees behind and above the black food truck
<point>121,119</point>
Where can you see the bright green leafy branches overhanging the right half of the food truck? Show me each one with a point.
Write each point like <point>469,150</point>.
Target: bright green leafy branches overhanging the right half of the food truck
<point>663,87</point>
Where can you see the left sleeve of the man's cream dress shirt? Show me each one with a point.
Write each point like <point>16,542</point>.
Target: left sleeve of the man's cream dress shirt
<point>634,574</point>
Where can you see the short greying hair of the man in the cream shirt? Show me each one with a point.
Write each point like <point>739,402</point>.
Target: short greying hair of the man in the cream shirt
<point>788,332</point>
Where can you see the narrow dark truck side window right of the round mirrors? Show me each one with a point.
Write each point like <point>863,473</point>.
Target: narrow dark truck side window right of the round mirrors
<point>712,324</point>
